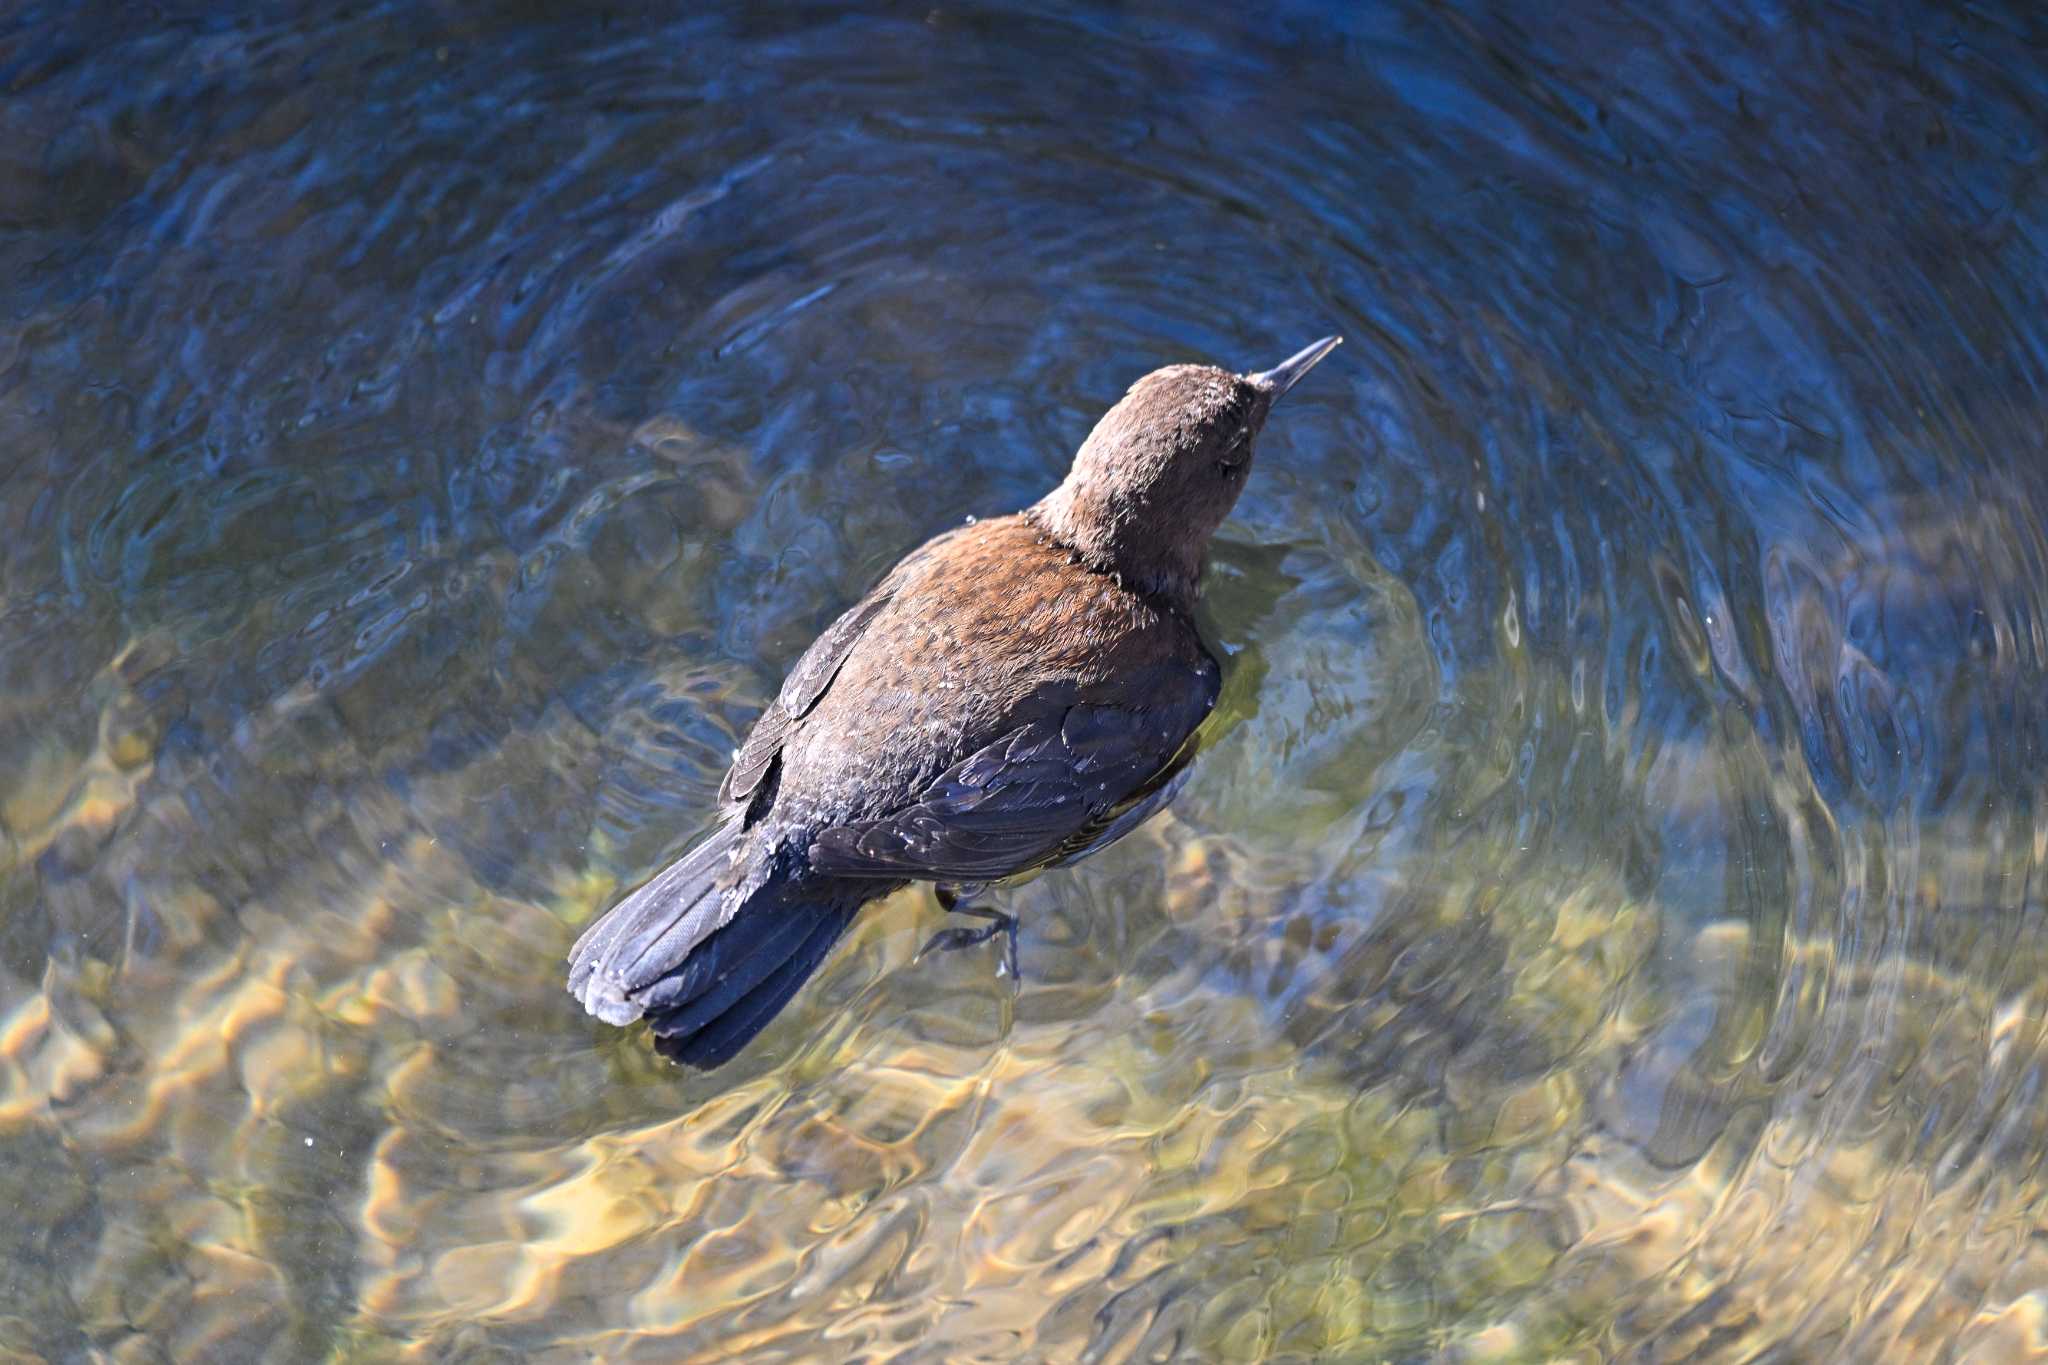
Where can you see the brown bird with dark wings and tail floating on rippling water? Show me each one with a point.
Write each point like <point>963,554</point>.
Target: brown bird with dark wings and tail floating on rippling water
<point>1015,695</point>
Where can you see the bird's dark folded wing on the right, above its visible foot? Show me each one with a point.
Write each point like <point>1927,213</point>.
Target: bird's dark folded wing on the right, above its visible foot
<point>1043,793</point>
